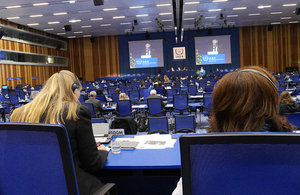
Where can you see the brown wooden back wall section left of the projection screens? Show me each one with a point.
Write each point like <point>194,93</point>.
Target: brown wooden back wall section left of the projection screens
<point>93,60</point>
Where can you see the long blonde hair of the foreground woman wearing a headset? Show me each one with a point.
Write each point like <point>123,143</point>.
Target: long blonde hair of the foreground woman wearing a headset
<point>52,101</point>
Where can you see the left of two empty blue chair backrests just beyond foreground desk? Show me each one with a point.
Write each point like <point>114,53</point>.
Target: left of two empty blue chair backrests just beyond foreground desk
<point>158,125</point>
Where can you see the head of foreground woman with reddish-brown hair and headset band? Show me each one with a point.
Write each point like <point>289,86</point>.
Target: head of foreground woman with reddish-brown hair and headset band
<point>245,101</point>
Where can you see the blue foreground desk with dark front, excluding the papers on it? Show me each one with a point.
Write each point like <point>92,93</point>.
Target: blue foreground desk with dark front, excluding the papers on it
<point>144,171</point>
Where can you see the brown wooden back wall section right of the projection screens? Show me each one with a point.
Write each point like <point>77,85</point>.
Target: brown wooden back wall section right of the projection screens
<point>273,50</point>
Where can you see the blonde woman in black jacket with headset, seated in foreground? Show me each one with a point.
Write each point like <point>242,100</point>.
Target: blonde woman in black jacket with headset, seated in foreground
<point>57,103</point>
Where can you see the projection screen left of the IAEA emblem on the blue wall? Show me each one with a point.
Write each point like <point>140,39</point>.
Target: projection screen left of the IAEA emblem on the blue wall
<point>146,54</point>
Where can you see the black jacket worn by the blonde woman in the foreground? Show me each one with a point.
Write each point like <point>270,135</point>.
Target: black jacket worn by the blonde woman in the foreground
<point>88,161</point>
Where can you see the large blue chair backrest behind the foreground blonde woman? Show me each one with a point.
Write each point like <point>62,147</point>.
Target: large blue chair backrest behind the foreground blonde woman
<point>43,162</point>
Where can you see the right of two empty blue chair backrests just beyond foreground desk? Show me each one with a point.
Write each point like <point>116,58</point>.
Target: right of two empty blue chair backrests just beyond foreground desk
<point>184,124</point>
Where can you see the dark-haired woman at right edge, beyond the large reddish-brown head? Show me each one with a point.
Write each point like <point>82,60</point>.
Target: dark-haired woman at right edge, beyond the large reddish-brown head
<point>287,104</point>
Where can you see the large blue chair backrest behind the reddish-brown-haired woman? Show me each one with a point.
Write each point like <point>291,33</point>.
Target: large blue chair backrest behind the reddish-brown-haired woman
<point>240,163</point>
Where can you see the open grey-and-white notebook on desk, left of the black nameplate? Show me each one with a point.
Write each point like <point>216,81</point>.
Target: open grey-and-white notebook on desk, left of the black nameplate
<point>100,131</point>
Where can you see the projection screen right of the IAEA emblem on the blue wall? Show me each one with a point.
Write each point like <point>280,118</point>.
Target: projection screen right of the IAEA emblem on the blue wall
<point>213,50</point>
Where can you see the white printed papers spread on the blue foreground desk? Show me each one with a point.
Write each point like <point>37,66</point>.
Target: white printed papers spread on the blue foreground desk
<point>154,141</point>
